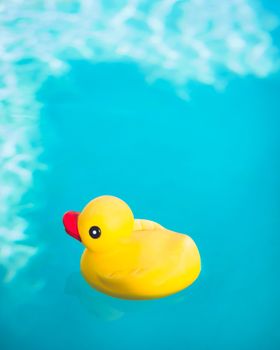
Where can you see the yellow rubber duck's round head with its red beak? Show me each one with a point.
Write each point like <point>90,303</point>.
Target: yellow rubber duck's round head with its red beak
<point>103,223</point>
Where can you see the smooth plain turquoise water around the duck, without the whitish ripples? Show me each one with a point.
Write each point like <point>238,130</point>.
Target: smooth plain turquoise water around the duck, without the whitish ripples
<point>207,166</point>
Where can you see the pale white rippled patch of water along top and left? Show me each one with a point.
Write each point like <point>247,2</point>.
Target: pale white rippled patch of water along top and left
<point>179,41</point>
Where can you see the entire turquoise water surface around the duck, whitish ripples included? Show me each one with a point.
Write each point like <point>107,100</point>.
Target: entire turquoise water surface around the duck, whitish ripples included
<point>180,150</point>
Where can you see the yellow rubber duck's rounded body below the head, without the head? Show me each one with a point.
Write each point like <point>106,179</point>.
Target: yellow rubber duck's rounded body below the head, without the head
<point>151,262</point>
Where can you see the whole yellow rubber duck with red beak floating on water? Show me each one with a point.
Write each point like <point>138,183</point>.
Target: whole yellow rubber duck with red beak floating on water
<point>131,258</point>
